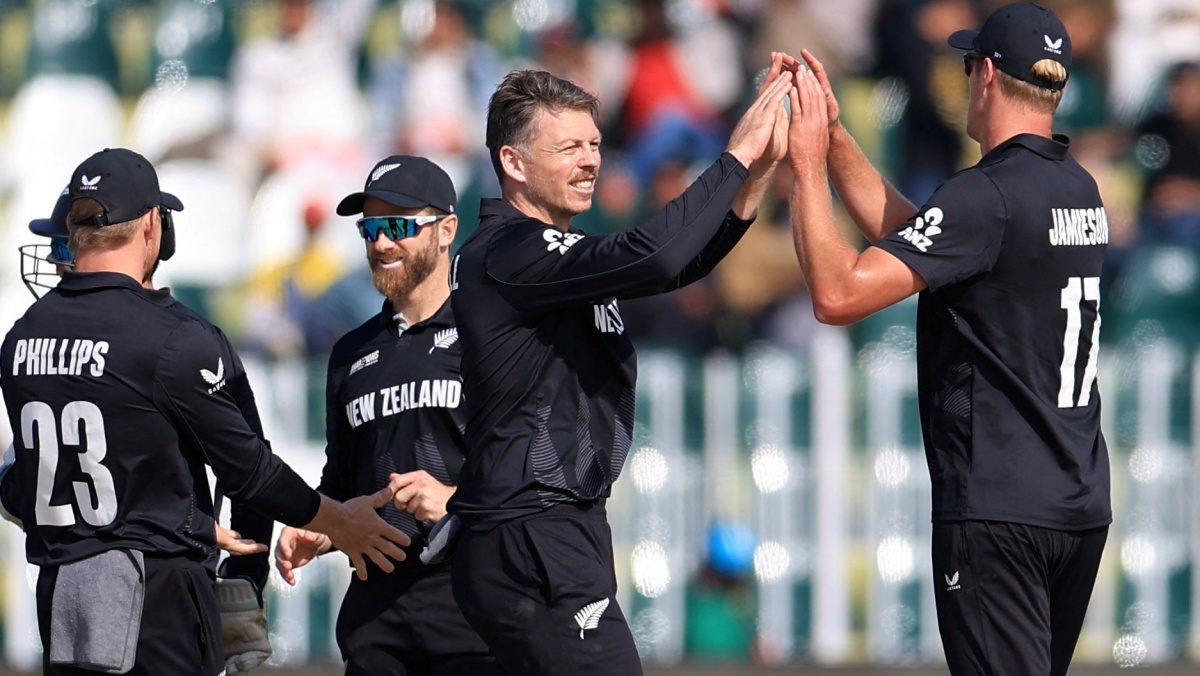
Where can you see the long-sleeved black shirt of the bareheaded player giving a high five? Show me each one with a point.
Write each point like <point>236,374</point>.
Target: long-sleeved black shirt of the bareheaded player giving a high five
<point>548,367</point>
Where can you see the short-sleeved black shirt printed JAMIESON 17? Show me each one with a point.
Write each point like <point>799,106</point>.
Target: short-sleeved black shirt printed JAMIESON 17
<point>1009,336</point>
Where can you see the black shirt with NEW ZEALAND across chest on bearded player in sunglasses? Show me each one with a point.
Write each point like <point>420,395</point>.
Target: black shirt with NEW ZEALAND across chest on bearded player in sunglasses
<point>394,404</point>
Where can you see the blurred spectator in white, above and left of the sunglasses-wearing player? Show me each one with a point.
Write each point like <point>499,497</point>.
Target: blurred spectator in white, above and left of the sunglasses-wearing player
<point>296,95</point>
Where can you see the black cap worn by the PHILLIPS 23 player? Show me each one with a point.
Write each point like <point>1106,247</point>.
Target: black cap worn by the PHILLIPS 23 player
<point>124,183</point>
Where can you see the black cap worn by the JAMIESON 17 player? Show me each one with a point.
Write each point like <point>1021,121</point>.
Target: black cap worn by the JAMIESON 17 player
<point>1017,37</point>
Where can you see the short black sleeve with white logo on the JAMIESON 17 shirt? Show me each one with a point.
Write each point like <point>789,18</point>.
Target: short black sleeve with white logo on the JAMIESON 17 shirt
<point>957,235</point>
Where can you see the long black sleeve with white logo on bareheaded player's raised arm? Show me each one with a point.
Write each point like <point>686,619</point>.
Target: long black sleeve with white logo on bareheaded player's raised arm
<point>542,268</point>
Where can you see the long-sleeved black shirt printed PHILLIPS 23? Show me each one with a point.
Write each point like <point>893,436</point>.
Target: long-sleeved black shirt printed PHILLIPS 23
<point>117,405</point>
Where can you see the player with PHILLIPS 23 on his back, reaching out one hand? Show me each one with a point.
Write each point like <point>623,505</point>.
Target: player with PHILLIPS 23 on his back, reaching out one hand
<point>135,396</point>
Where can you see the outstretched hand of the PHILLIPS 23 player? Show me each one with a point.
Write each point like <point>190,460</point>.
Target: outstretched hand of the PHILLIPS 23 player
<point>361,533</point>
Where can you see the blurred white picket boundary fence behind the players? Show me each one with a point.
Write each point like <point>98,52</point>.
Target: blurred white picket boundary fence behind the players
<point>820,453</point>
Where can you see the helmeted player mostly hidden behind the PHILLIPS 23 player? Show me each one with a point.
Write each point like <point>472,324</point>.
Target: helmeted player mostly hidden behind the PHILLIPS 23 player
<point>243,576</point>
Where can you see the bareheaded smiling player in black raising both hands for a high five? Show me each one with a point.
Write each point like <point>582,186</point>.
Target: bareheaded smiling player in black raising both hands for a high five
<point>549,370</point>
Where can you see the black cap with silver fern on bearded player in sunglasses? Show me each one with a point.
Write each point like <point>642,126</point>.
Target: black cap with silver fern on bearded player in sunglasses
<point>405,181</point>
